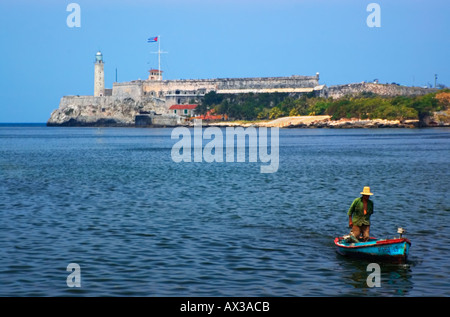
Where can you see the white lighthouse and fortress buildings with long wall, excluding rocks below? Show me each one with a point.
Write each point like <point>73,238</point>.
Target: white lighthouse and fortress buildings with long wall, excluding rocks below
<point>188,91</point>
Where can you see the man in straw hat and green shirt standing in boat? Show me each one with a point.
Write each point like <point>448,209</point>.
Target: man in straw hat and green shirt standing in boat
<point>359,215</point>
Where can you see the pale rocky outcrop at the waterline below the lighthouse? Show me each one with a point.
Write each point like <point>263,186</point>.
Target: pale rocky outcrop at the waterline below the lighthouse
<point>101,111</point>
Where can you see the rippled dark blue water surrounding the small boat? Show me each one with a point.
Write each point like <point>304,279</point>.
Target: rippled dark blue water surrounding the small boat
<point>139,224</point>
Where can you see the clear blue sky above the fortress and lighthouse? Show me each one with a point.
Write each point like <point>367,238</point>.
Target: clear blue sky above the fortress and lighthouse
<point>42,59</point>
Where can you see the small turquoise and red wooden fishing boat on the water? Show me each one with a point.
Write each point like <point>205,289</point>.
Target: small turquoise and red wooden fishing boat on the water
<point>396,249</point>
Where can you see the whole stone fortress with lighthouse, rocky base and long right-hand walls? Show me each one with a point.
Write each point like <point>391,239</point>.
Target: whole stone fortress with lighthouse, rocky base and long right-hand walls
<point>147,102</point>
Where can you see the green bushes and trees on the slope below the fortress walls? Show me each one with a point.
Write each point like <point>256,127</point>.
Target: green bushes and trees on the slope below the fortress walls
<point>364,106</point>
